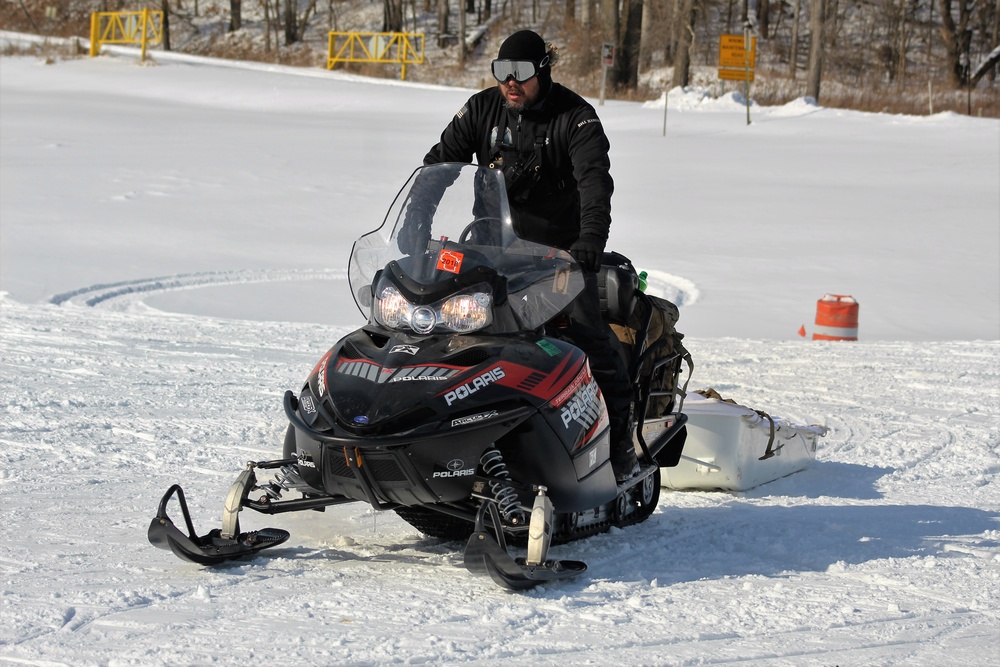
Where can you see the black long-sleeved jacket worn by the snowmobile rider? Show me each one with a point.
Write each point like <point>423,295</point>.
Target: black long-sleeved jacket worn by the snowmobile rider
<point>555,162</point>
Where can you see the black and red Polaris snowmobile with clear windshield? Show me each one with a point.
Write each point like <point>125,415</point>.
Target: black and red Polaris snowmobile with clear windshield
<point>457,405</point>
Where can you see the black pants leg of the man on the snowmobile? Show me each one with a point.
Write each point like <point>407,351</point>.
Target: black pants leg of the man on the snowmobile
<point>589,332</point>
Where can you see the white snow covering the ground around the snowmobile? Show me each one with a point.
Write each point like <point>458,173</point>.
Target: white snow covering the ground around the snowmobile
<point>174,239</point>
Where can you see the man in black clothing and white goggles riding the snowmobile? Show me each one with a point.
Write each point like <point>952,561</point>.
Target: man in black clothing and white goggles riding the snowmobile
<point>551,147</point>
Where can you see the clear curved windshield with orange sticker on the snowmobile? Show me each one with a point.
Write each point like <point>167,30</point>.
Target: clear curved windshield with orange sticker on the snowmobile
<point>451,223</point>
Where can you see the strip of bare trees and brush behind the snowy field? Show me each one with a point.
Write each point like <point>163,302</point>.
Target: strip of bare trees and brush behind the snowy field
<point>893,56</point>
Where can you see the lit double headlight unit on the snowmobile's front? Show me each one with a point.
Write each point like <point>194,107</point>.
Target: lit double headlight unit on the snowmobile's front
<point>465,312</point>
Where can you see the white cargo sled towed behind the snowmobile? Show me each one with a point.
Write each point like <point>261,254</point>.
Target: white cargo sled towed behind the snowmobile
<point>733,447</point>
